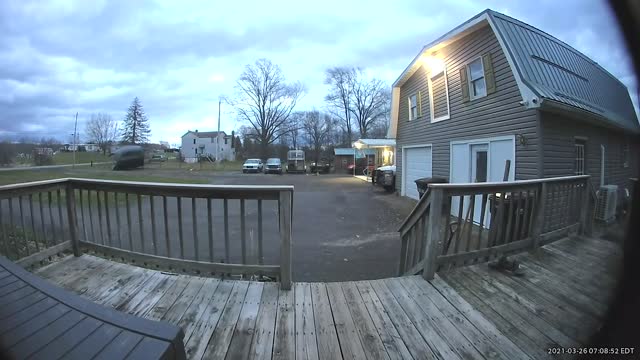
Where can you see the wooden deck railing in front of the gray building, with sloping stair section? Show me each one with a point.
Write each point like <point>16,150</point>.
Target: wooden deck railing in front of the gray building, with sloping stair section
<point>461,224</point>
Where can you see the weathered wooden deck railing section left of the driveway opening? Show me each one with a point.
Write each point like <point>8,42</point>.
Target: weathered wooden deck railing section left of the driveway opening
<point>201,229</point>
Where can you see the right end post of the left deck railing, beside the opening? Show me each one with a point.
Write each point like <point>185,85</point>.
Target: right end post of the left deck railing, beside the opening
<point>285,209</point>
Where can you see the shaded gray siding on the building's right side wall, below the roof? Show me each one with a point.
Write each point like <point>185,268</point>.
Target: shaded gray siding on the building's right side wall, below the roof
<point>559,133</point>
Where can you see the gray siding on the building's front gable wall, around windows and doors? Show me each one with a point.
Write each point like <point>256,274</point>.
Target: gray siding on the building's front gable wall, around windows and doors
<point>497,114</point>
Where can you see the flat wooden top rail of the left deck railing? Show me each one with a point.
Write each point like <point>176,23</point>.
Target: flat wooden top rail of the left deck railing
<point>148,185</point>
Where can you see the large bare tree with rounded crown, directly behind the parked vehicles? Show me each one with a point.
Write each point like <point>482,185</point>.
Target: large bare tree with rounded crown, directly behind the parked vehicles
<point>265,100</point>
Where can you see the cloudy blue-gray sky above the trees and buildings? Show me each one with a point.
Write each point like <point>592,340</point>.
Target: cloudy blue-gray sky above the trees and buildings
<point>62,57</point>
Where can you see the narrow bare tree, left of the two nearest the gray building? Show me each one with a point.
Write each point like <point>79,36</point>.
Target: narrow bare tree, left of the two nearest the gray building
<point>340,81</point>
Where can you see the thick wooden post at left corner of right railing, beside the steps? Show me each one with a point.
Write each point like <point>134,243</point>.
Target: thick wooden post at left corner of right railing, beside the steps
<point>435,235</point>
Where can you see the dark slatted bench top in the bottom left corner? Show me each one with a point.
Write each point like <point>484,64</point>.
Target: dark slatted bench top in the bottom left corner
<point>42,321</point>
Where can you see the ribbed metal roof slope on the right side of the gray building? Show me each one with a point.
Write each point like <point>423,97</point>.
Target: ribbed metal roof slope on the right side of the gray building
<point>554,70</point>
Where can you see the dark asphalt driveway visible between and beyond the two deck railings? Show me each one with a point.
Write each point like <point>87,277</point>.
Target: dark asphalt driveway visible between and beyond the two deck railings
<point>344,228</point>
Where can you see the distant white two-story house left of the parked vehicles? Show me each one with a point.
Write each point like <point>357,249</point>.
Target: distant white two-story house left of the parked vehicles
<point>217,145</point>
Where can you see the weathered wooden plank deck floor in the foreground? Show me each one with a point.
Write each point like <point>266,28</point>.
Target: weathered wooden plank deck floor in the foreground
<point>468,313</point>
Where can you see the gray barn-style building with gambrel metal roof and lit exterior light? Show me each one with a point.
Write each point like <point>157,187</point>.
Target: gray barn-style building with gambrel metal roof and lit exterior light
<point>496,89</point>
